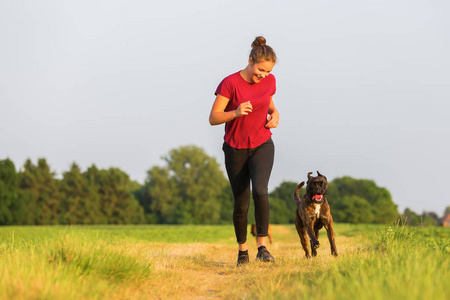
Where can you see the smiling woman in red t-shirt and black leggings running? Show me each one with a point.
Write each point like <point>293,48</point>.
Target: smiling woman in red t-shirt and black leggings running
<point>244,103</point>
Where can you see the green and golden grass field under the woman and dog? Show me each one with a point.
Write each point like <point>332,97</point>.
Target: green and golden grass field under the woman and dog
<point>199,262</point>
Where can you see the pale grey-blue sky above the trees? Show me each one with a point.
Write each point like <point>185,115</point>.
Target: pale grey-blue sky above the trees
<point>363,87</point>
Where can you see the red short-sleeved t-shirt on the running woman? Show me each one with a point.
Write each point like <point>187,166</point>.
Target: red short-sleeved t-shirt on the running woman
<point>248,131</point>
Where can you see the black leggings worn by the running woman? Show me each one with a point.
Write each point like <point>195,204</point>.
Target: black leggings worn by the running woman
<point>243,166</point>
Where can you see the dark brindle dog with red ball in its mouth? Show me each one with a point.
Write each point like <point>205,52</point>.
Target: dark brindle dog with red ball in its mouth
<point>313,213</point>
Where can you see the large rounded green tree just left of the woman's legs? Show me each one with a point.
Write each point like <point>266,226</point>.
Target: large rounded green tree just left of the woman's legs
<point>188,190</point>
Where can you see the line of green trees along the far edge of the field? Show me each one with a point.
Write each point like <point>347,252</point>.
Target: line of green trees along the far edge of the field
<point>190,188</point>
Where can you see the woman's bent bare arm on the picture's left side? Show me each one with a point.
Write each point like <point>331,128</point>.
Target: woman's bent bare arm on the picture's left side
<point>218,114</point>
